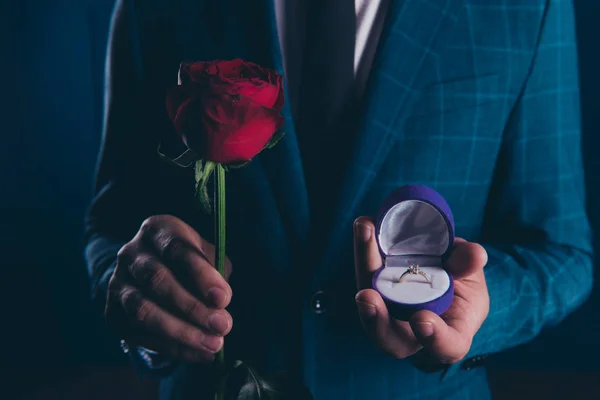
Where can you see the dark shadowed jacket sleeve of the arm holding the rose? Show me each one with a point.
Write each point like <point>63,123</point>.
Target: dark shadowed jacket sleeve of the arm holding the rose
<point>132,183</point>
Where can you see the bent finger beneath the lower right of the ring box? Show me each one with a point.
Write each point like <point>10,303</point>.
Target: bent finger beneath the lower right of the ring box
<point>447,342</point>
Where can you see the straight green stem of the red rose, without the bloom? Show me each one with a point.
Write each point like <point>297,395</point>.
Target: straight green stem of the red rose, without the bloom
<point>220,258</point>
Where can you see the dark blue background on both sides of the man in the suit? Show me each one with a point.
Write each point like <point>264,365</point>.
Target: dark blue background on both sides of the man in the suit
<point>53,345</point>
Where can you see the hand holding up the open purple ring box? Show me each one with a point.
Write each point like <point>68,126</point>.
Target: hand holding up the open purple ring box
<point>447,338</point>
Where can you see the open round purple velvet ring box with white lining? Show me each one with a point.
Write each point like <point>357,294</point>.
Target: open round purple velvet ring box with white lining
<point>414,227</point>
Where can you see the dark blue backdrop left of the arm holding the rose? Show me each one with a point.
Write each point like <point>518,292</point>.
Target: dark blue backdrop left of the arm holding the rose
<point>52,69</point>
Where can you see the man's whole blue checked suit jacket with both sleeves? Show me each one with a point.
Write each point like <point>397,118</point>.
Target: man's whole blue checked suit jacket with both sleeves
<point>475,98</point>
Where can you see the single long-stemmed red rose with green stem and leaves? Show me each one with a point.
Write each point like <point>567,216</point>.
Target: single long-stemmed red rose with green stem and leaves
<point>226,113</point>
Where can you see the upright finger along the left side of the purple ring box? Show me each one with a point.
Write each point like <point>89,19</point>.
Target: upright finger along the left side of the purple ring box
<point>366,252</point>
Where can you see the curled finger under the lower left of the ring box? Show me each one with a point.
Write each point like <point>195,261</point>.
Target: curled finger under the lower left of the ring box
<point>392,336</point>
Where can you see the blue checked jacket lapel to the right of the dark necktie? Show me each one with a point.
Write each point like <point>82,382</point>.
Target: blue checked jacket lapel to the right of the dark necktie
<point>413,35</point>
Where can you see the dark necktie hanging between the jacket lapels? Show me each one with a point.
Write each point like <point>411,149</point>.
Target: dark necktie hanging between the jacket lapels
<point>325,101</point>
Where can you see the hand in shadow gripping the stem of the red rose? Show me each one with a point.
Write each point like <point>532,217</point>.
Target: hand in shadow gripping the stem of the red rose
<point>149,306</point>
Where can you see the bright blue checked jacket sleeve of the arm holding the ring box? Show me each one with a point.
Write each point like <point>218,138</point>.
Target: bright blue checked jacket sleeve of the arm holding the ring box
<point>537,237</point>
